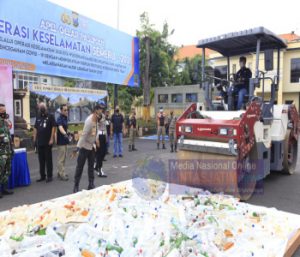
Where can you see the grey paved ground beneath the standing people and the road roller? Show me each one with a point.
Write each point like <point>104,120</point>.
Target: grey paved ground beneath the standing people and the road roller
<point>280,191</point>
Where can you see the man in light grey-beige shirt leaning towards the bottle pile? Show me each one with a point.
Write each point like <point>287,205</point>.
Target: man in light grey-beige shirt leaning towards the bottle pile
<point>85,146</point>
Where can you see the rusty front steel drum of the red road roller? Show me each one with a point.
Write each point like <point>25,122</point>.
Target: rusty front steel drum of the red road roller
<point>238,179</point>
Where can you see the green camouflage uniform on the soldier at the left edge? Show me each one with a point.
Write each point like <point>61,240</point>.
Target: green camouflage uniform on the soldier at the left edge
<point>6,152</point>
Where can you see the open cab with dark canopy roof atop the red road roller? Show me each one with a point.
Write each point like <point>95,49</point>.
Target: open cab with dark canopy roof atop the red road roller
<point>252,41</point>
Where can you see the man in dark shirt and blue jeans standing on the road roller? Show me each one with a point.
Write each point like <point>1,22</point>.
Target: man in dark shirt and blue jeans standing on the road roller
<point>242,78</point>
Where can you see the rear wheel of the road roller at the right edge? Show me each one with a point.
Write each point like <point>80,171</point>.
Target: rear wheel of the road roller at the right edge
<point>290,153</point>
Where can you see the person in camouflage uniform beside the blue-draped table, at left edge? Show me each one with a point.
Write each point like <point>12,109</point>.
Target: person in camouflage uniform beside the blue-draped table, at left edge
<point>6,151</point>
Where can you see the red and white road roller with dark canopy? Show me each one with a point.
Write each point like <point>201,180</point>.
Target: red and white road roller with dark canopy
<point>248,143</point>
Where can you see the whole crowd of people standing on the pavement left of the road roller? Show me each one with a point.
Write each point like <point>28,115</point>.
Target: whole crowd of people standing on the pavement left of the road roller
<point>93,145</point>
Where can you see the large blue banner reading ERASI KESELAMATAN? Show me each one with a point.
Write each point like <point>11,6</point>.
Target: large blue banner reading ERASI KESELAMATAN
<point>41,37</point>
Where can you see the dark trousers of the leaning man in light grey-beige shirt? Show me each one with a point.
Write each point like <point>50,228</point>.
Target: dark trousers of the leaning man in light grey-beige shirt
<point>83,155</point>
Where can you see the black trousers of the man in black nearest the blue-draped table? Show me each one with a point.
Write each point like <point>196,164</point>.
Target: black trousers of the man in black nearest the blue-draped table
<point>45,158</point>
